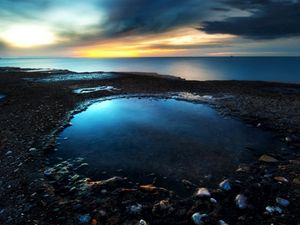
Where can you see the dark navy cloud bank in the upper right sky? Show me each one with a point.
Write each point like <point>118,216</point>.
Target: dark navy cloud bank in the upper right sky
<point>269,20</point>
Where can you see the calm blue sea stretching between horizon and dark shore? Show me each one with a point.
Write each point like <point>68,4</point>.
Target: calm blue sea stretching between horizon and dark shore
<point>281,69</point>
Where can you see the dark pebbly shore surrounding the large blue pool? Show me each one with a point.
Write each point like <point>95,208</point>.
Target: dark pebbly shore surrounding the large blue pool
<point>33,191</point>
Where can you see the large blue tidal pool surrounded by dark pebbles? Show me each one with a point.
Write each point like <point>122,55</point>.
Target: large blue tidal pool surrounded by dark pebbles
<point>143,138</point>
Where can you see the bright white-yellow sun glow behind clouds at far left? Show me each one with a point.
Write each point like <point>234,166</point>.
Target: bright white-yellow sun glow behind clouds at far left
<point>25,36</point>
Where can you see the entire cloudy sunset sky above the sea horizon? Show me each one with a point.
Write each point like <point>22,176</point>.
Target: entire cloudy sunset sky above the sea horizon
<point>149,28</point>
